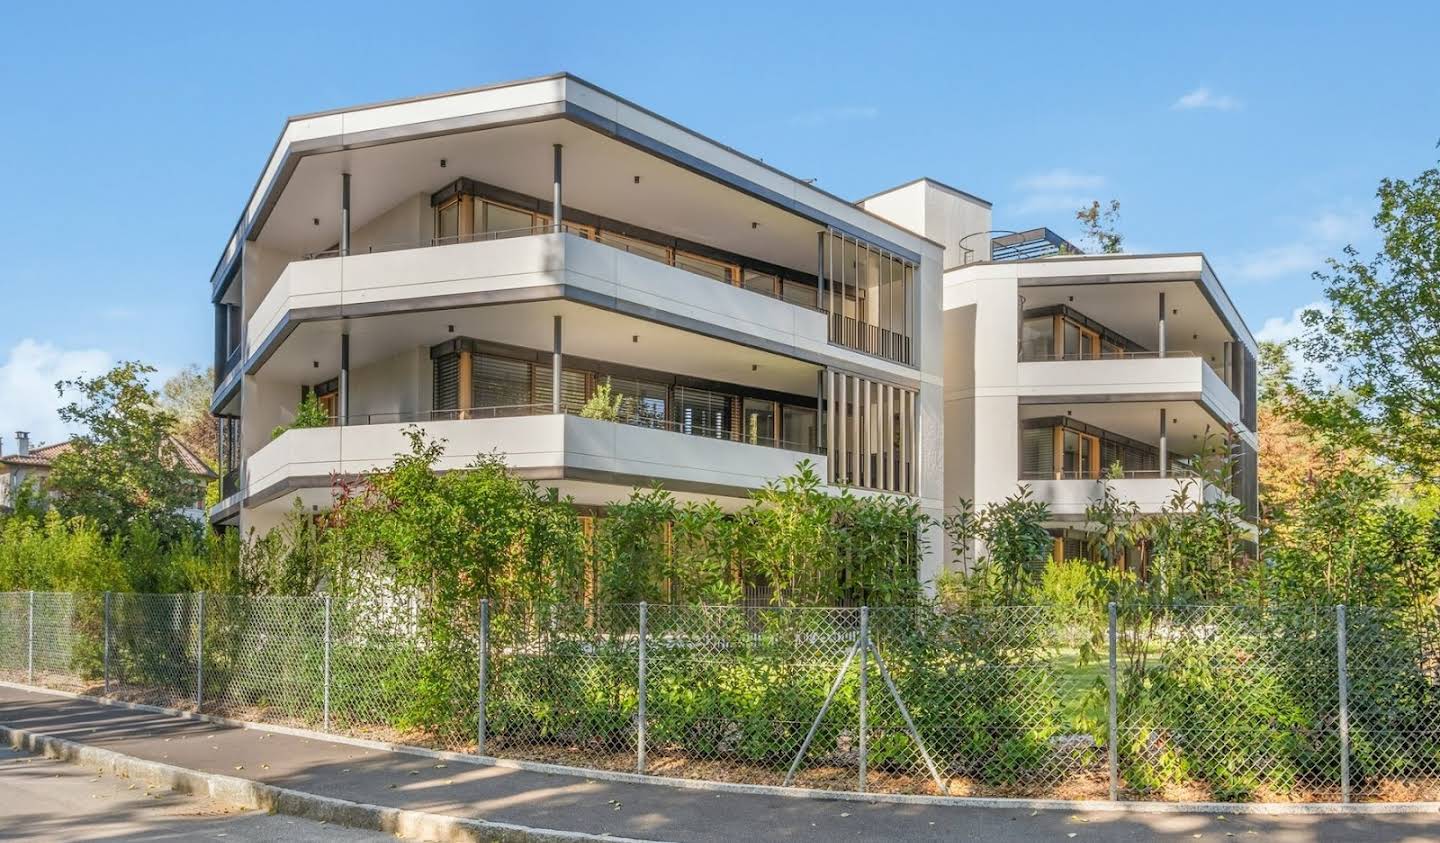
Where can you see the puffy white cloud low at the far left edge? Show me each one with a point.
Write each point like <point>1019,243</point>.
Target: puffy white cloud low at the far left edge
<point>28,377</point>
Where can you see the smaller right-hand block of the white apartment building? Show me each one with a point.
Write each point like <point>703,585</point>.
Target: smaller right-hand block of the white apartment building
<point>1063,368</point>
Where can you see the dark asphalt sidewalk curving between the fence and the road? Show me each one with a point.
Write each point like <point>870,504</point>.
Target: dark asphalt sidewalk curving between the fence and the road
<point>646,812</point>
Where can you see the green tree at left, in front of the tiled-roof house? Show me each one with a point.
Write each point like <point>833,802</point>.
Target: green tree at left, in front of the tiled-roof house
<point>123,469</point>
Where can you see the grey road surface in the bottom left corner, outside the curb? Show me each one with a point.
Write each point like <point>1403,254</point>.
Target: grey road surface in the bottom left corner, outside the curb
<point>50,800</point>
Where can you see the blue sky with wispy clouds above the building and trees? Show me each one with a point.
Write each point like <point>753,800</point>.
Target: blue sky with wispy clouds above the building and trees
<point>1255,133</point>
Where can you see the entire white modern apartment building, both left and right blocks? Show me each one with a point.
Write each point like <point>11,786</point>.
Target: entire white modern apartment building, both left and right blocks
<point>482,263</point>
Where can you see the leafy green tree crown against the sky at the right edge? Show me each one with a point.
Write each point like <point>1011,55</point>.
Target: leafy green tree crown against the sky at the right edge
<point>1380,339</point>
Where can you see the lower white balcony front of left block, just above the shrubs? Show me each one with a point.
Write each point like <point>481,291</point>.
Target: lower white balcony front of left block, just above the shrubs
<point>538,445</point>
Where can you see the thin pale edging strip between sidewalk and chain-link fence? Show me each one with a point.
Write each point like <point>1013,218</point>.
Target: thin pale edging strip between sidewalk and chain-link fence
<point>1013,803</point>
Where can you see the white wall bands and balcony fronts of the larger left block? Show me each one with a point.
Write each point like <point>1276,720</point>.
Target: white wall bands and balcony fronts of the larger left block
<point>276,287</point>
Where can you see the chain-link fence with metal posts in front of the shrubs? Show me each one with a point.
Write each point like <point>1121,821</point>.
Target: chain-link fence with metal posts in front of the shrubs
<point>1235,704</point>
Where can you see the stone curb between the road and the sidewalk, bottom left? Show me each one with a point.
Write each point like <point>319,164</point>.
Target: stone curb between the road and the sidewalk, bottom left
<point>280,800</point>
